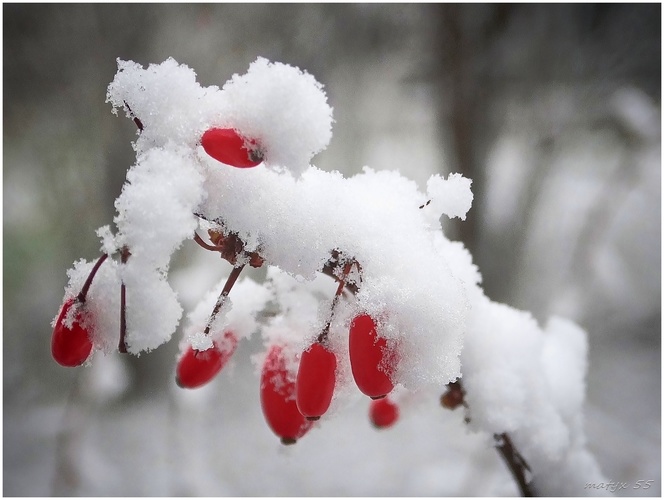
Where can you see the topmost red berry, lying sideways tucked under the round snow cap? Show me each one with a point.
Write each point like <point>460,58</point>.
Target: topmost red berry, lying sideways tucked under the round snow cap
<point>229,147</point>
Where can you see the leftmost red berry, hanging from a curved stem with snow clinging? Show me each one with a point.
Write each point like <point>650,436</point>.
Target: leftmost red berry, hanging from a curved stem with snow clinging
<point>70,346</point>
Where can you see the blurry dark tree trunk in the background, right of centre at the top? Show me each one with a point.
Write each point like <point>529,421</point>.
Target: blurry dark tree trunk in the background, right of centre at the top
<point>464,38</point>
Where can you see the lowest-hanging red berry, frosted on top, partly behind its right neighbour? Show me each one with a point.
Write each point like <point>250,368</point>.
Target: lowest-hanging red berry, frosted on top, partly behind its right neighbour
<point>278,399</point>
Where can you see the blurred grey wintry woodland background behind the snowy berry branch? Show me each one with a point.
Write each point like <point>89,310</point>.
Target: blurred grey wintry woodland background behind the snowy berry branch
<point>554,111</point>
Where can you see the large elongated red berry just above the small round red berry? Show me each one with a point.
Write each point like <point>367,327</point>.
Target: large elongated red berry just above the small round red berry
<point>371,361</point>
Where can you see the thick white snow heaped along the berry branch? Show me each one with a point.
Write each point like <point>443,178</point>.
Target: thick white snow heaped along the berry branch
<point>422,289</point>
